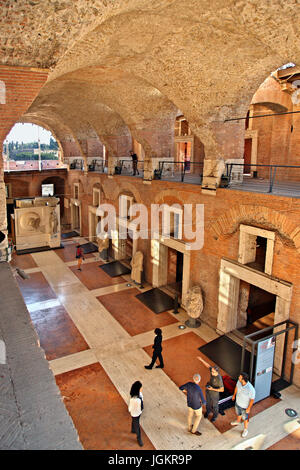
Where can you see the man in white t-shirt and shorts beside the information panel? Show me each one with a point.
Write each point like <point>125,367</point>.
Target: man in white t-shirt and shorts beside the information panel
<point>244,395</point>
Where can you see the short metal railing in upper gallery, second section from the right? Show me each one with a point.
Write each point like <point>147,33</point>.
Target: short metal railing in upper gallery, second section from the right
<point>180,171</point>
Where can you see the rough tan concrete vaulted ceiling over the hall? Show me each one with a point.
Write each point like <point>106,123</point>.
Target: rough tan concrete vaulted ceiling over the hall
<point>128,66</point>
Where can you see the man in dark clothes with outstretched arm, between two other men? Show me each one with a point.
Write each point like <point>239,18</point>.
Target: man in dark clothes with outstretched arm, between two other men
<point>213,389</point>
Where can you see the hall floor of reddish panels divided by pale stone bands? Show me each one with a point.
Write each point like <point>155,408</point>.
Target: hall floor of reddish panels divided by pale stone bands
<point>97,337</point>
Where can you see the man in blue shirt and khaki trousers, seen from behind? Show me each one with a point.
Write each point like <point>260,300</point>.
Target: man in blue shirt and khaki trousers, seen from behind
<point>195,399</point>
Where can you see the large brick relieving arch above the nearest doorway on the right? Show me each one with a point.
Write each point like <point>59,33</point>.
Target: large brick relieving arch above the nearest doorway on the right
<point>258,216</point>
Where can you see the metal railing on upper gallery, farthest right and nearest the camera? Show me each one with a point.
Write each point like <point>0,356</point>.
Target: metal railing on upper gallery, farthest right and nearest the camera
<point>240,172</point>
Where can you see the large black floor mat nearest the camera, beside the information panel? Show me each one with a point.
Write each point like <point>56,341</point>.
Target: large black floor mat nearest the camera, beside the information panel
<point>227,354</point>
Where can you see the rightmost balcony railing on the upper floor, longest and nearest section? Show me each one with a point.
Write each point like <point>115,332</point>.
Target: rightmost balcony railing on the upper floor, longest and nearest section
<point>270,179</point>
